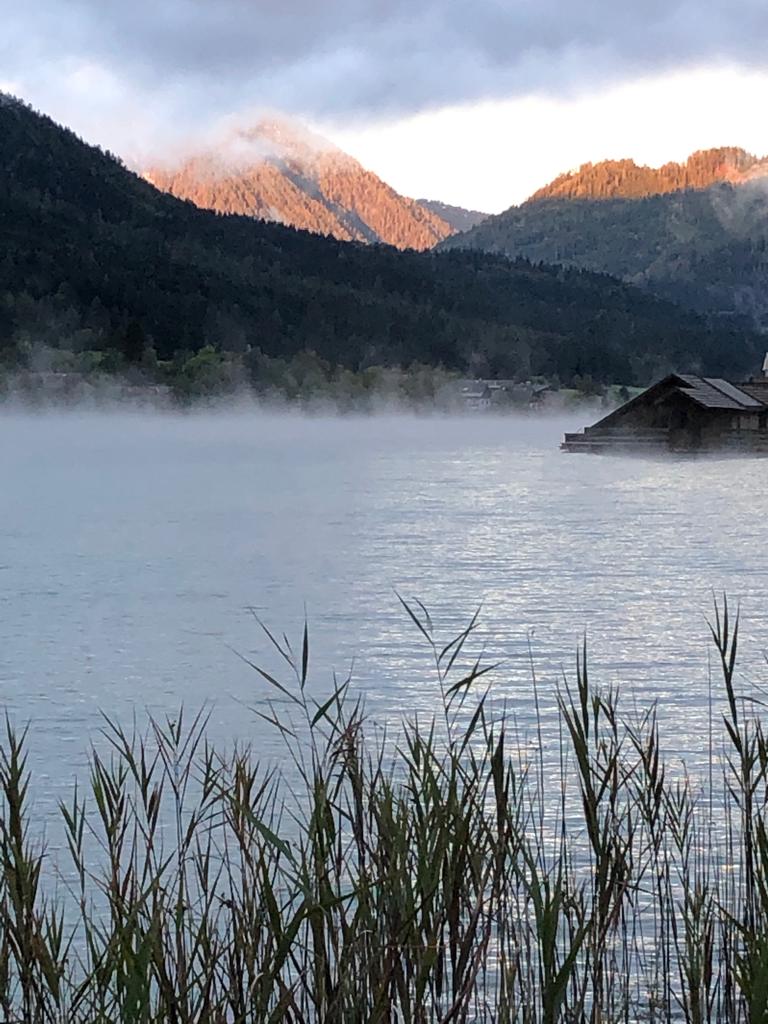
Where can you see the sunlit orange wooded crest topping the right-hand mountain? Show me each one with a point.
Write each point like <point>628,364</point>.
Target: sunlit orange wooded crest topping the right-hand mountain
<point>626,180</point>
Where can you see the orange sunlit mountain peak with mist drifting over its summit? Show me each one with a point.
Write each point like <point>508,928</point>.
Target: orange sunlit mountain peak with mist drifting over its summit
<point>279,172</point>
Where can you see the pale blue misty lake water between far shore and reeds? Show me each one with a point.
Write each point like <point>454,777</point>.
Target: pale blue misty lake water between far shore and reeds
<point>133,547</point>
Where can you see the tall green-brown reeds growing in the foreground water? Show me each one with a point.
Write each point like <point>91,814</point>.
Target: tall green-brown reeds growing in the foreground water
<point>450,873</point>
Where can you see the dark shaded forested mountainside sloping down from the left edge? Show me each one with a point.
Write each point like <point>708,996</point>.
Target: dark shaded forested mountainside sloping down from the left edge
<point>96,260</point>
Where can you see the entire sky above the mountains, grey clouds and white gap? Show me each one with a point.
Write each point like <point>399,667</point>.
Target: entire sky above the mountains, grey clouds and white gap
<point>477,103</point>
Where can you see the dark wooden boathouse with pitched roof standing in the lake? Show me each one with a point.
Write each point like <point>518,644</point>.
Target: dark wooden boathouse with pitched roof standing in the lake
<point>684,413</point>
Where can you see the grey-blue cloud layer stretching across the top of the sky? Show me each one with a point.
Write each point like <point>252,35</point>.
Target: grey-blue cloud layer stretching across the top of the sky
<point>360,60</point>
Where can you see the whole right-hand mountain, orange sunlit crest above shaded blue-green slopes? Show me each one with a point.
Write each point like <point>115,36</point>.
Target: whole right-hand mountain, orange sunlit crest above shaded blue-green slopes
<point>703,248</point>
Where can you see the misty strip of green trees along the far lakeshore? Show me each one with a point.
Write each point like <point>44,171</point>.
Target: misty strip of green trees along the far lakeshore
<point>54,377</point>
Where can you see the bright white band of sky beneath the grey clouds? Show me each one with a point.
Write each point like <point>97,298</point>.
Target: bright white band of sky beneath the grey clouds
<point>488,156</point>
